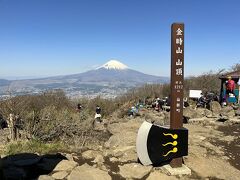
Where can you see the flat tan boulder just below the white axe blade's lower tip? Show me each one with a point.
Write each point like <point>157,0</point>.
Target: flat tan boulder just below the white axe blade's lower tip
<point>134,171</point>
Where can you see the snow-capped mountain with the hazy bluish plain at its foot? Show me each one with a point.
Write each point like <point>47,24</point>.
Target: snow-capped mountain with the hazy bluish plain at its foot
<point>109,80</point>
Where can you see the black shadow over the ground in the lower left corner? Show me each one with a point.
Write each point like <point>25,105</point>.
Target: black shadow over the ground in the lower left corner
<point>28,166</point>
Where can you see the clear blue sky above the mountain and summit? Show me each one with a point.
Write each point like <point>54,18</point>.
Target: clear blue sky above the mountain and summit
<point>57,37</point>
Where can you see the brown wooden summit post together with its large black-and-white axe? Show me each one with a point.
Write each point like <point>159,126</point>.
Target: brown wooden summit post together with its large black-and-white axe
<point>160,144</point>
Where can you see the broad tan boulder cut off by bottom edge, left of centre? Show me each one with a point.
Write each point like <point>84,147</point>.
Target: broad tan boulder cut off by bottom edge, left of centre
<point>87,172</point>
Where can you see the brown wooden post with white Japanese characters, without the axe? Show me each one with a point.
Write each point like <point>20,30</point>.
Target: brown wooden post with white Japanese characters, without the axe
<point>177,78</point>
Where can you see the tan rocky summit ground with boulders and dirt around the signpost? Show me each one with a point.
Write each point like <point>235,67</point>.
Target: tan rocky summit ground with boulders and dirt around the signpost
<point>214,149</point>
